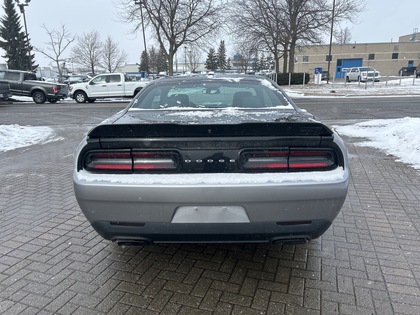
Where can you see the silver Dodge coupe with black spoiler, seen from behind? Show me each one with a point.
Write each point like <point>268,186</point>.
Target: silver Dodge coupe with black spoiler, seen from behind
<point>211,159</point>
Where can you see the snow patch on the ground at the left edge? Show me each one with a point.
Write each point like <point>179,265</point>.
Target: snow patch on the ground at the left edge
<point>15,136</point>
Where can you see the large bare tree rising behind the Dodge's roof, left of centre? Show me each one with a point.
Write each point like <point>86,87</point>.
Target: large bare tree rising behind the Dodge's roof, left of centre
<point>176,22</point>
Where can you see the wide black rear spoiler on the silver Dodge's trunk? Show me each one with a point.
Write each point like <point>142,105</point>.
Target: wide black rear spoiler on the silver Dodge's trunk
<point>210,130</point>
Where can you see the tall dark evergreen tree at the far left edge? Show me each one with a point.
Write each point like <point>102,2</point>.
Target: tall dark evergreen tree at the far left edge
<point>14,41</point>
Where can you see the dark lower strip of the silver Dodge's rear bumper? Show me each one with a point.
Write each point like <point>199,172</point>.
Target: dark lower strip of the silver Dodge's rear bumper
<point>271,232</point>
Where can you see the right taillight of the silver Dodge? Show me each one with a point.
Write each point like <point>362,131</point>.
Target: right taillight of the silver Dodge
<point>289,160</point>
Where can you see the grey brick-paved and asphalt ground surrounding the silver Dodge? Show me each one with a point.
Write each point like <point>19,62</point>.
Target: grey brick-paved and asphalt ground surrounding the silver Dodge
<point>53,262</point>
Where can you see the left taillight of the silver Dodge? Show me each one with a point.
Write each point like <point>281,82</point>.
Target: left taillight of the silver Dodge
<point>130,161</point>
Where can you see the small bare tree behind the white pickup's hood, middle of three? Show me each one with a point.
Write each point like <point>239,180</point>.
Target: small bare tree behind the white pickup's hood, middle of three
<point>88,51</point>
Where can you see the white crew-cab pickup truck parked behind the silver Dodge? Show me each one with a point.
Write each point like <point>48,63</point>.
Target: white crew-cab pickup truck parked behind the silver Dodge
<point>105,86</point>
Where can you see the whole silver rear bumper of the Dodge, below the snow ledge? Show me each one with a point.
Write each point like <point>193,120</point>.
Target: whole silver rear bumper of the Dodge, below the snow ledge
<point>285,210</point>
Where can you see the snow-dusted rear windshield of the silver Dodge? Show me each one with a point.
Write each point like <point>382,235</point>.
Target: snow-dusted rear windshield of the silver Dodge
<point>220,93</point>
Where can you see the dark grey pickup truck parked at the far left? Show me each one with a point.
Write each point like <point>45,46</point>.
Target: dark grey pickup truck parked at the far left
<point>25,83</point>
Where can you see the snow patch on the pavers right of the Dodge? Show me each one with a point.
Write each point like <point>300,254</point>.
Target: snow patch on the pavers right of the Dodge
<point>399,137</point>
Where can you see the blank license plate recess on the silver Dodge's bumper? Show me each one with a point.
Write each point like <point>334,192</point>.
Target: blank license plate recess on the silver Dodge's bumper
<point>210,214</point>
